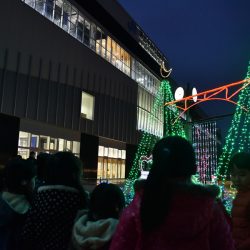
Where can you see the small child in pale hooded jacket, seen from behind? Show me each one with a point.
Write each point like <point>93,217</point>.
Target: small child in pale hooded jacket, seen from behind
<point>94,228</point>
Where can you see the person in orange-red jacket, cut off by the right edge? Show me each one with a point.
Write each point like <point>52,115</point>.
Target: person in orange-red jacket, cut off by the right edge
<point>239,167</point>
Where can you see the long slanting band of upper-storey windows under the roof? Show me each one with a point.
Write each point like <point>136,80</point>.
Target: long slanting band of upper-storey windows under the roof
<point>70,19</point>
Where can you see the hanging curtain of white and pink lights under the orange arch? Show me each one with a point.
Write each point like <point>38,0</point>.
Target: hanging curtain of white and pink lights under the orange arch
<point>205,146</point>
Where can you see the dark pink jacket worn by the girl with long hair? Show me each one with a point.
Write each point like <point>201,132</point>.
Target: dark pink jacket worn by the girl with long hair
<point>194,222</point>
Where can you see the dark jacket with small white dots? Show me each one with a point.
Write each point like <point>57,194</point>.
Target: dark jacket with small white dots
<point>50,220</point>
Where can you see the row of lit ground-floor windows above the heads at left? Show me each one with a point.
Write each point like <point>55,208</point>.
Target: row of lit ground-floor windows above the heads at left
<point>40,143</point>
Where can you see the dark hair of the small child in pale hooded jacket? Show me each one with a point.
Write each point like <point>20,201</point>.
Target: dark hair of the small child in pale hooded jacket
<point>106,201</point>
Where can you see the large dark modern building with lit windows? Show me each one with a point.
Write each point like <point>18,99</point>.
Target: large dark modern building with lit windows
<point>73,77</point>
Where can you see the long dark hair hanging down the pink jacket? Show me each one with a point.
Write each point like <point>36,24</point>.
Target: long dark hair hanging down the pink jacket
<point>173,158</point>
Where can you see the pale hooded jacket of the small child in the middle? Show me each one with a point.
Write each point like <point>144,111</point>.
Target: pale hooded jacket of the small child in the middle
<point>90,235</point>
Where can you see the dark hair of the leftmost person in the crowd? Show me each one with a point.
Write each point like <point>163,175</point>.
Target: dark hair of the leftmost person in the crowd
<point>17,174</point>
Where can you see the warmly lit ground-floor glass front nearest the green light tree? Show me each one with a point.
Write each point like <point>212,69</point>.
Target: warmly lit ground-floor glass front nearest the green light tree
<point>111,163</point>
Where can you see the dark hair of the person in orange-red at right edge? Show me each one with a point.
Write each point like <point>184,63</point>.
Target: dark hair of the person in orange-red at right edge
<point>240,160</point>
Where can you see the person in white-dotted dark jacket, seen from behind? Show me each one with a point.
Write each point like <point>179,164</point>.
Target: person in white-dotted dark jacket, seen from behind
<point>50,220</point>
